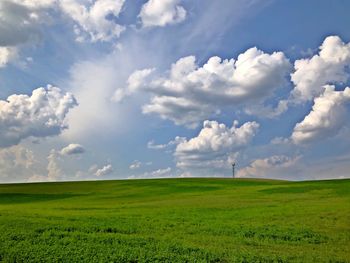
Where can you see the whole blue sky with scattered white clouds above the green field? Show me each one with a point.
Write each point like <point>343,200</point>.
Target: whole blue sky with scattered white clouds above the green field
<point>121,89</point>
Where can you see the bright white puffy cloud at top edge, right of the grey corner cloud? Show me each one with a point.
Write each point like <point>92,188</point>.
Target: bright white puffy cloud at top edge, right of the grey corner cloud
<point>95,22</point>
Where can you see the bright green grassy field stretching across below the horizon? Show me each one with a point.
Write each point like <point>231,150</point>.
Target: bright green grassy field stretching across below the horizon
<point>176,220</point>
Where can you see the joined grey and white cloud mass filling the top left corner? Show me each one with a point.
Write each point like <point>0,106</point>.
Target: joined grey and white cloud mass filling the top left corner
<point>21,21</point>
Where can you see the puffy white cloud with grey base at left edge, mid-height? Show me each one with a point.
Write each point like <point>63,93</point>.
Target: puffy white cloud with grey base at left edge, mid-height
<point>40,115</point>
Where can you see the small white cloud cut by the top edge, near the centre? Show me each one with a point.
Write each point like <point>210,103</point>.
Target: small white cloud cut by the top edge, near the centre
<point>162,13</point>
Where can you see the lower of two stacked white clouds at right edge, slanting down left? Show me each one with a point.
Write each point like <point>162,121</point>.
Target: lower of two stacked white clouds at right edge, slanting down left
<point>327,117</point>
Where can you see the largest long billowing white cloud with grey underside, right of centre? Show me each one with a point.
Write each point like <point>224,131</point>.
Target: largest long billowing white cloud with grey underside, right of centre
<point>192,93</point>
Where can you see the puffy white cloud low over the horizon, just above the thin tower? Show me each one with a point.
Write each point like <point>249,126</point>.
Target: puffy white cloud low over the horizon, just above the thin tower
<point>216,145</point>
